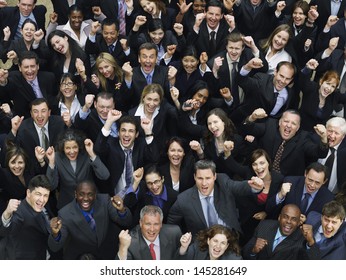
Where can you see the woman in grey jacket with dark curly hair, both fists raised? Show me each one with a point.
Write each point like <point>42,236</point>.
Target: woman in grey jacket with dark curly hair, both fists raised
<point>74,161</point>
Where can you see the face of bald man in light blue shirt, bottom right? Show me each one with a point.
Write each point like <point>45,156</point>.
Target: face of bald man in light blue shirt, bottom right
<point>289,219</point>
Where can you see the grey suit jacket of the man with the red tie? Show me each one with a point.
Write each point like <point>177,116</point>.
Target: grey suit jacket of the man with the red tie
<point>169,244</point>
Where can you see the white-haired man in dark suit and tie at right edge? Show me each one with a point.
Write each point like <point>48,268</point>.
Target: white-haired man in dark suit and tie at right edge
<point>336,131</point>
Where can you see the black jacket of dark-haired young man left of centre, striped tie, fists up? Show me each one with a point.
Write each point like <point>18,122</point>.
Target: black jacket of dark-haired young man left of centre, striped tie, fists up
<point>111,153</point>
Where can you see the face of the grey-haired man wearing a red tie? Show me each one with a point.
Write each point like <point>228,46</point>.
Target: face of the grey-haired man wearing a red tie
<point>150,226</point>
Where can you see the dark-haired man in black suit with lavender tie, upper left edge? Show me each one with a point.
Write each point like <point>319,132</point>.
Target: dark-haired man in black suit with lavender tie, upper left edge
<point>23,86</point>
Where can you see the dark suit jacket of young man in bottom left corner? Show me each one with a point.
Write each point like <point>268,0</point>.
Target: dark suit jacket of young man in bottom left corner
<point>27,233</point>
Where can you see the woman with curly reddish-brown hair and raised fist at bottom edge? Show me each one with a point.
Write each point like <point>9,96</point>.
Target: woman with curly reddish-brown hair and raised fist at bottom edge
<point>215,243</point>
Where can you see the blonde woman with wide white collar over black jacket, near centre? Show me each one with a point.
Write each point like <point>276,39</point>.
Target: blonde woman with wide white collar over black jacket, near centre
<point>162,115</point>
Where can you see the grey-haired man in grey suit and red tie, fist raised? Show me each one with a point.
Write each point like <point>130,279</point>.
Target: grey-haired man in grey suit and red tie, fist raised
<point>150,240</point>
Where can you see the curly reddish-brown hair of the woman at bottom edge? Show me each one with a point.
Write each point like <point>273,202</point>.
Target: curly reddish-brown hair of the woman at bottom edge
<point>231,235</point>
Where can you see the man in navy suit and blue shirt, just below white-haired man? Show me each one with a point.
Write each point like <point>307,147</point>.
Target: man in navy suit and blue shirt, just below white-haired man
<point>307,192</point>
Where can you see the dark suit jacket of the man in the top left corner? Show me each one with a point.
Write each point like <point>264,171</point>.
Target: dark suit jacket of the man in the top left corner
<point>10,16</point>
